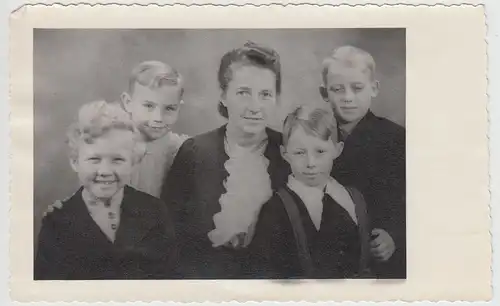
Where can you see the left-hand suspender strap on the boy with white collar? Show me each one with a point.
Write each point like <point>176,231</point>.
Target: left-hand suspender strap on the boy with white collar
<point>298,231</point>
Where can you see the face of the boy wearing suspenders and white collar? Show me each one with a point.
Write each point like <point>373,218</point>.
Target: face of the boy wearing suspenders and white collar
<point>310,157</point>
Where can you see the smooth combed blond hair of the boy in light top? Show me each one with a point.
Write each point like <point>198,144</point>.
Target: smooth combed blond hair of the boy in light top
<point>155,74</point>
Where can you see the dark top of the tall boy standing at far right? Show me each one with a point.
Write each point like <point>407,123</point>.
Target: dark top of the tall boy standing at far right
<point>373,161</point>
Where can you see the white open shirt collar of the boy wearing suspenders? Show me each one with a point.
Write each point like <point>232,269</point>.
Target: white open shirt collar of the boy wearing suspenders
<point>313,198</point>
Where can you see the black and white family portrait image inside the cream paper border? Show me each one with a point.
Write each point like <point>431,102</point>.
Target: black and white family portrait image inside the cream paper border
<point>219,154</point>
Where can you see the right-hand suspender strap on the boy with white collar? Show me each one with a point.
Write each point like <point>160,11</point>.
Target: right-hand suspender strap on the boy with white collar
<point>364,230</point>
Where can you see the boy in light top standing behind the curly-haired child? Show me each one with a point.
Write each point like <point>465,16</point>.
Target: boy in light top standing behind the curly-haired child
<point>152,99</point>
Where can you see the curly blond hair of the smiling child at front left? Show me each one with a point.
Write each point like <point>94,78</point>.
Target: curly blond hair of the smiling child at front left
<point>97,118</point>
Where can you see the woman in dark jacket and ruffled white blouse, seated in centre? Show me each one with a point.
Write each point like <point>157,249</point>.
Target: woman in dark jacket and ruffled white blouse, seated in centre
<point>219,180</point>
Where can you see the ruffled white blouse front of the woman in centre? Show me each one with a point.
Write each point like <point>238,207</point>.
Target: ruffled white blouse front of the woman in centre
<point>248,187</point>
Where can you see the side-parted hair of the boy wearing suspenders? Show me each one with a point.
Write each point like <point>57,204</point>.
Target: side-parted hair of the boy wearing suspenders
<point>315,121</point>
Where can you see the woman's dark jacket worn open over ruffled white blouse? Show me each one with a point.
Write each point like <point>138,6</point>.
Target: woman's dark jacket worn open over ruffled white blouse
<point>192,190</point>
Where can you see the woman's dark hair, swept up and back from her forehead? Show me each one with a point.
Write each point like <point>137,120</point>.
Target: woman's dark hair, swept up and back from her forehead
<point>250,54</point>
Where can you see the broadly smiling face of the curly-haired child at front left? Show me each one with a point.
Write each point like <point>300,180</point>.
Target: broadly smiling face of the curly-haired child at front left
<point>104,164</point>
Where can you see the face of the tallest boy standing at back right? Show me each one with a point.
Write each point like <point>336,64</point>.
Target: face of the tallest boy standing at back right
<point>349,90</point>
